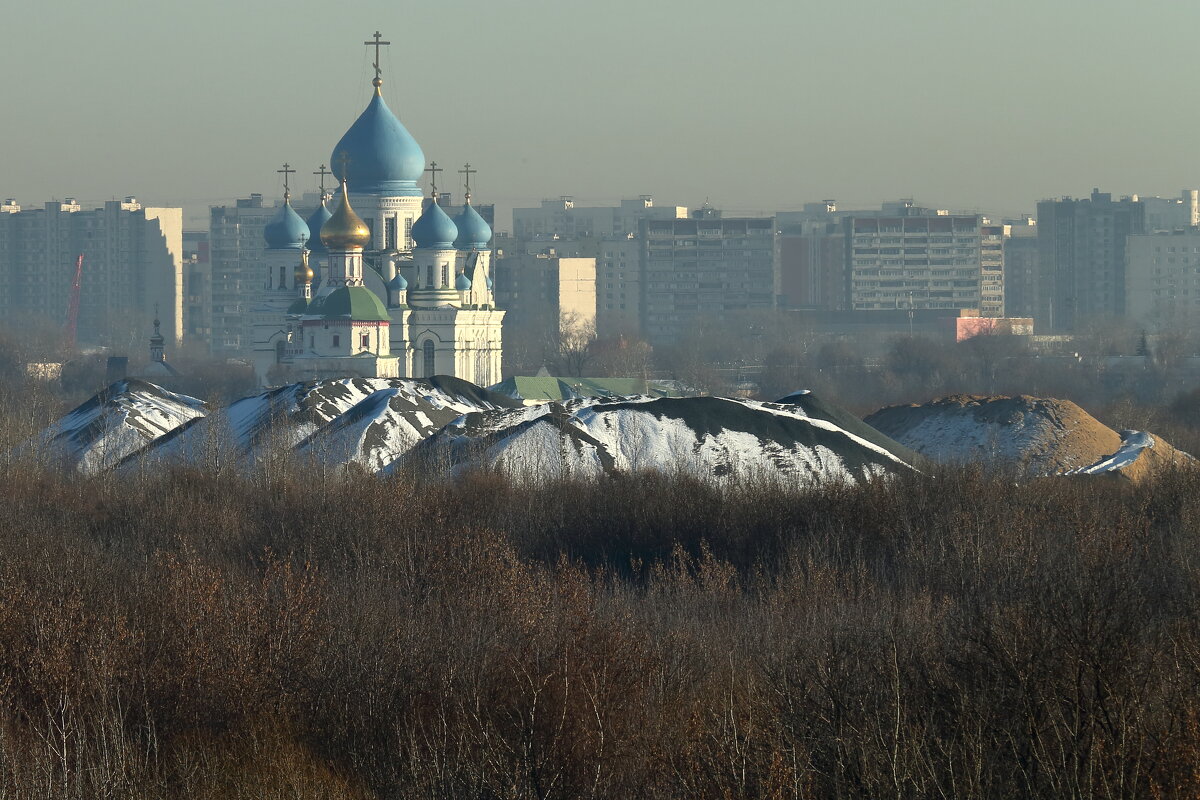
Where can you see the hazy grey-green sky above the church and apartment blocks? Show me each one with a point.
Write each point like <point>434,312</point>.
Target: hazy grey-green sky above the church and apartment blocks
<point>755,105</point>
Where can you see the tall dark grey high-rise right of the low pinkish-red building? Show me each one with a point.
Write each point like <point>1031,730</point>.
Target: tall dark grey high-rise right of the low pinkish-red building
<point>1082,251</point>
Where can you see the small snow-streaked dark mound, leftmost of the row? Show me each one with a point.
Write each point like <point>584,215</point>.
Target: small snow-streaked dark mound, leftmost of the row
<point>119,422</point>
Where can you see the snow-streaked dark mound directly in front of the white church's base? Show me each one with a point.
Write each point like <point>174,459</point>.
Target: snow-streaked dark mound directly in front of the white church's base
<point>369,422</point>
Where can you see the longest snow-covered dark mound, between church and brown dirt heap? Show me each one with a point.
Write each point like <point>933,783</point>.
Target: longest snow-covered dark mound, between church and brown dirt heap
<point>709,437</point>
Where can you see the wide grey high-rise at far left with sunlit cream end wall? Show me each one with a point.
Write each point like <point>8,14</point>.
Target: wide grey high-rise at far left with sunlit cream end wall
<point>133,263</point>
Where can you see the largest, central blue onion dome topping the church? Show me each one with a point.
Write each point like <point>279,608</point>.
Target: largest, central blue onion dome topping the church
<point>385,159</point>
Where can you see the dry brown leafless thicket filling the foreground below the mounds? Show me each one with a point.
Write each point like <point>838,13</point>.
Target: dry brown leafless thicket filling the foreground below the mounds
<point>211,635</point>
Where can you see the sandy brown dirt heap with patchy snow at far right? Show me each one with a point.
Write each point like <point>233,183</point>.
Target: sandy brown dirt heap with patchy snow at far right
<point>1043,436</point>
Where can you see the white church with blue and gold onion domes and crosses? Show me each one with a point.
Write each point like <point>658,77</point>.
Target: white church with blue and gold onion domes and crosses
<point>385,286</point>
